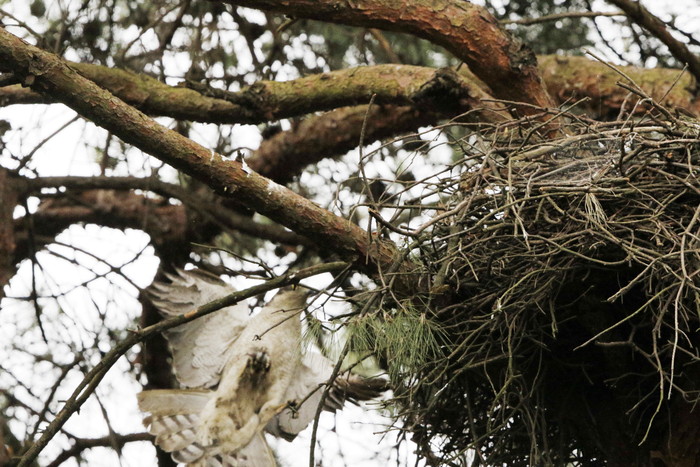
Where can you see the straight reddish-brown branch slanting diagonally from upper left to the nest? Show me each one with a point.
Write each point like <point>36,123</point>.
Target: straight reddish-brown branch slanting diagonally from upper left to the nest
<point>49,75</point>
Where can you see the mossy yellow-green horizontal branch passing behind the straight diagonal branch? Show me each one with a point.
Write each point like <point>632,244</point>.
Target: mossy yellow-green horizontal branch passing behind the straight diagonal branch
<point>273,100</point>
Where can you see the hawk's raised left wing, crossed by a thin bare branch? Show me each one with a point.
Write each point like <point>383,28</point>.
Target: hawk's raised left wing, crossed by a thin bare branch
<point>200,347</point>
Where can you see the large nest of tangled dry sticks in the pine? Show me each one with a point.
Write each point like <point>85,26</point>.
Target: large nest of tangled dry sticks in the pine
<point>564,302</point>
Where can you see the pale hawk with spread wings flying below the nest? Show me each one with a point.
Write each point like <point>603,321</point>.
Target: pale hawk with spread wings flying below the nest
<point>241,376</point>
